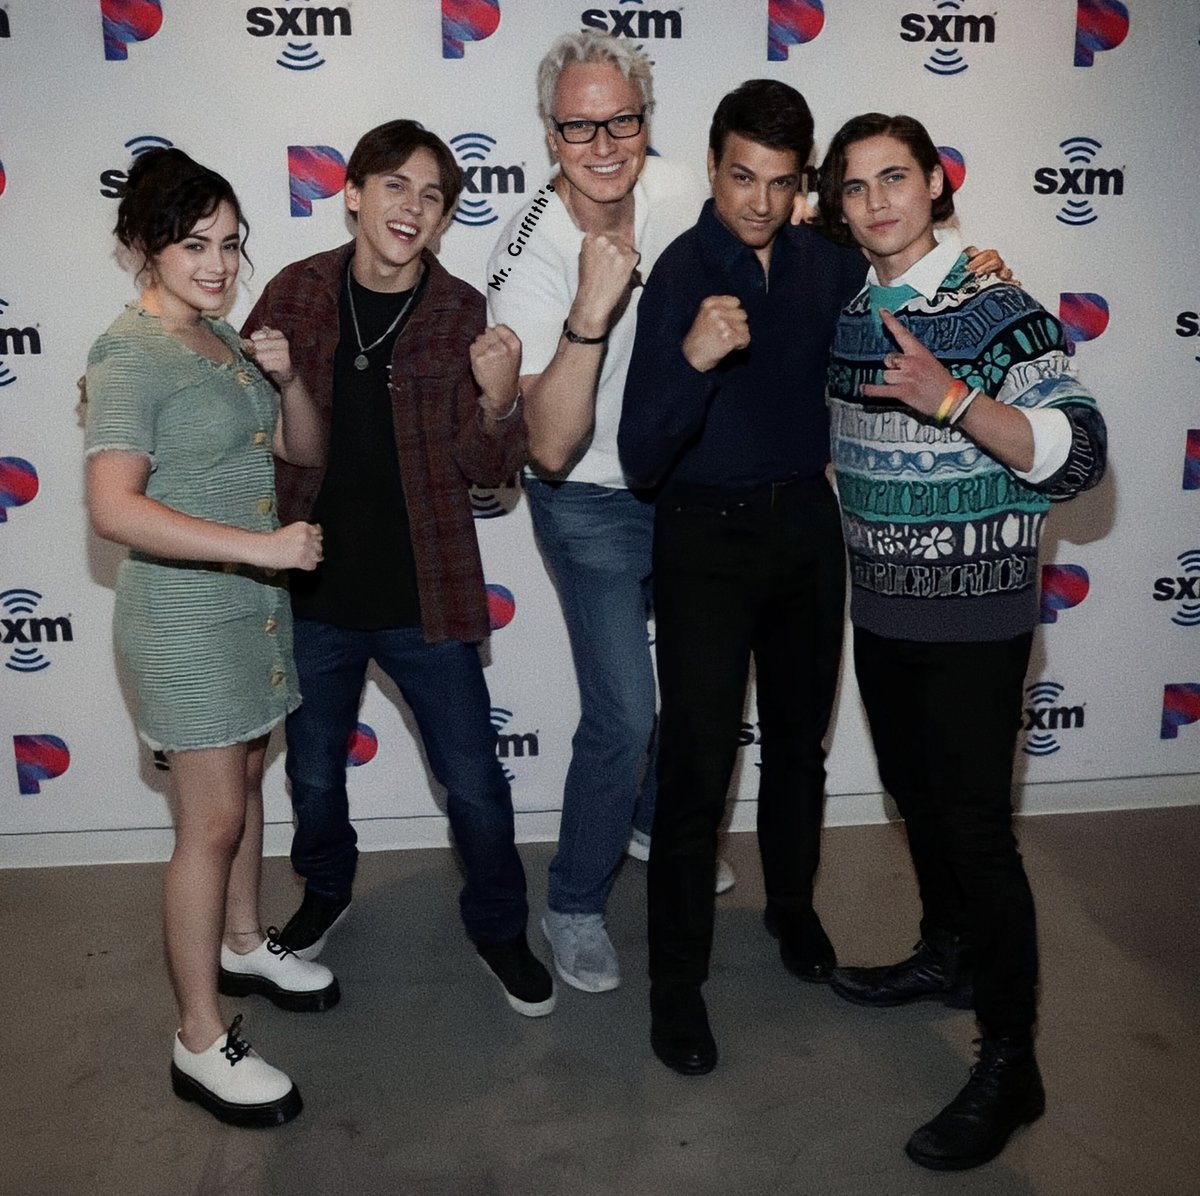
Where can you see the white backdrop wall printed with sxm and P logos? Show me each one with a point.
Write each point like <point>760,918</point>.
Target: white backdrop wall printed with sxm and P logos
<point>1070,124</point>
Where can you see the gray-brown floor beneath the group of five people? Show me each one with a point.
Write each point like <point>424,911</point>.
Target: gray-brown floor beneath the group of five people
<point>423,1081</point>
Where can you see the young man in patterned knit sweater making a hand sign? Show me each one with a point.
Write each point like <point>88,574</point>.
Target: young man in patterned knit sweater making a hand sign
<point>956,422</point>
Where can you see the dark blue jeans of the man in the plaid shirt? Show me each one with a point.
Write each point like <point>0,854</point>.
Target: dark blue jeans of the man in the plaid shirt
<point>445,687</point>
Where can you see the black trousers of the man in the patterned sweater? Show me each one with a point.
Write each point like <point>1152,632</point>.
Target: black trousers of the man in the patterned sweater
<point>945,719</point>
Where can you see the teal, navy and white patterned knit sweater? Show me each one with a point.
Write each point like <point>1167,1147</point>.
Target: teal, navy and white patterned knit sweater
<point>943,538</point>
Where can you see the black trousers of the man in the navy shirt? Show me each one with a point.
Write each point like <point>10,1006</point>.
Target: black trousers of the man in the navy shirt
<point>740,576</point>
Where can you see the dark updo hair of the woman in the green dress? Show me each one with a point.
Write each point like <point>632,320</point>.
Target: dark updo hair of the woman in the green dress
<point>166,196</point>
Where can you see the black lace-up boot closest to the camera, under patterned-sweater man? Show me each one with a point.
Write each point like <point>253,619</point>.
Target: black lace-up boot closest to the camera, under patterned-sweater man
<point>1004,1093</point>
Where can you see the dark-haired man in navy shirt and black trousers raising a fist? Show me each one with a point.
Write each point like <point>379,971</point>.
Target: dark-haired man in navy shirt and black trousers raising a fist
<point>725,412</point>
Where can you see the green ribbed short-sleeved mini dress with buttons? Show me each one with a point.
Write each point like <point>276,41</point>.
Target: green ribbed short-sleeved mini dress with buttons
<point>208,646</point>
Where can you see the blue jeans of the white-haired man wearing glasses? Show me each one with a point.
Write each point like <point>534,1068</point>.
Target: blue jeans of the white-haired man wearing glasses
<point>597,543</point>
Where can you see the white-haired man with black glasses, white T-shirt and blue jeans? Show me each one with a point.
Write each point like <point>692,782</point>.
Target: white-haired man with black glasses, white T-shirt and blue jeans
<point>566,275</point>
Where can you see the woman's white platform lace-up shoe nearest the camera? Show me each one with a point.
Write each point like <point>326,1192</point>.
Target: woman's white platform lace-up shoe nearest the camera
<point>233,1083</point>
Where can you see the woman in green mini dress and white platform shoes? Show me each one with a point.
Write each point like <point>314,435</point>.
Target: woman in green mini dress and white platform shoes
<point>183,420</point>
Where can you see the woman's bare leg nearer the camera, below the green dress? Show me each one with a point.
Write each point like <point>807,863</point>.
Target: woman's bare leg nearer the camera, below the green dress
<point>212,813</point>
